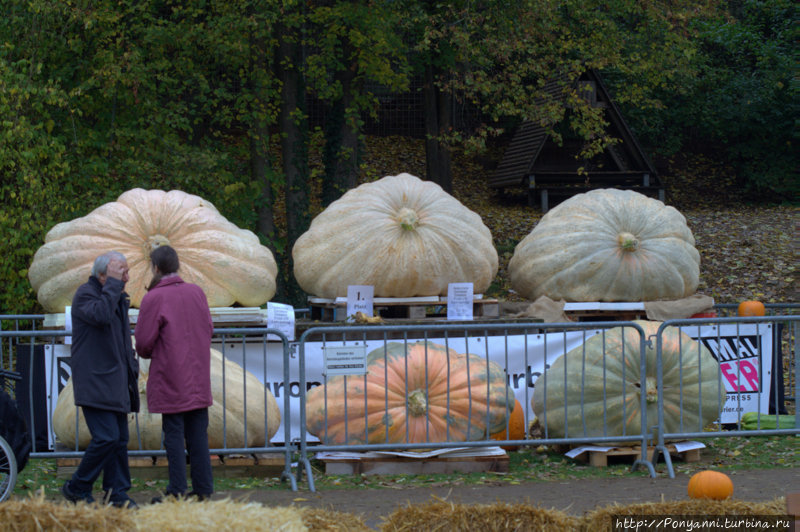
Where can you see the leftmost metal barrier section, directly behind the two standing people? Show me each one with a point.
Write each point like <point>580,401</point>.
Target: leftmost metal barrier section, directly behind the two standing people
<point>243,419</point>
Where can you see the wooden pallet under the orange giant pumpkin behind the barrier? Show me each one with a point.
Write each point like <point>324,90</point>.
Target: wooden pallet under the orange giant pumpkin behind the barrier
<point>397,465</point>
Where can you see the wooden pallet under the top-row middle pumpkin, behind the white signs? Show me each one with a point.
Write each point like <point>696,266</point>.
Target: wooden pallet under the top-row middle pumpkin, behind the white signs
<point>402,309</point>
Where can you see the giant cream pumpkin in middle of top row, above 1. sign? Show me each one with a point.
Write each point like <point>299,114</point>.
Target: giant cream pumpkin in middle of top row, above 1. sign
<point>404,236</point>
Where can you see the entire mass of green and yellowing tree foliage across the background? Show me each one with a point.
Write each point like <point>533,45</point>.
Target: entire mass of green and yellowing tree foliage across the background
<point>100,97</point>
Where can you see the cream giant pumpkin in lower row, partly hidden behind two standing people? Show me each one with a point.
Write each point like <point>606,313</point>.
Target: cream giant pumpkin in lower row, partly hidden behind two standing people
<point>263,415</point>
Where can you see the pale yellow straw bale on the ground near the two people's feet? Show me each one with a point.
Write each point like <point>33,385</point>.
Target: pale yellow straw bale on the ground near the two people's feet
<point>182,515</point>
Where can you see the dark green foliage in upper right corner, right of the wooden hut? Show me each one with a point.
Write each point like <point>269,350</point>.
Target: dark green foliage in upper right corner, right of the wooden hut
<point>739,98</point>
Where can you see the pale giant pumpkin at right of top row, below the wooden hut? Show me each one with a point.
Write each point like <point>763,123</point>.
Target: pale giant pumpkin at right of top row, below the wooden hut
<point>607,245</point>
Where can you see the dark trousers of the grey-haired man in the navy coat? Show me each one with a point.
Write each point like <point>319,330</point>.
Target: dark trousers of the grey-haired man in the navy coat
<point>107,453</point>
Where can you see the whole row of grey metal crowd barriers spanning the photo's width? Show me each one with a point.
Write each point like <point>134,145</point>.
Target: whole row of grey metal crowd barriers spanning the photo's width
<point>593,398</point>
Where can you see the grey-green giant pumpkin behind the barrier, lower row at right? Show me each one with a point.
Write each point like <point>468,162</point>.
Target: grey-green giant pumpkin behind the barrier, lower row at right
<point>595,389</point>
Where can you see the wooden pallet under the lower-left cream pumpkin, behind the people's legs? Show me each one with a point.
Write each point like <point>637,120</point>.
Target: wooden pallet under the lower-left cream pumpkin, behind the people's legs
<point>152,467</point>
